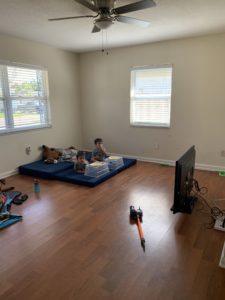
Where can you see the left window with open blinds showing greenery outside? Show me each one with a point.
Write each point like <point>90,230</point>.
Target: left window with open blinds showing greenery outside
<point>24,101</point>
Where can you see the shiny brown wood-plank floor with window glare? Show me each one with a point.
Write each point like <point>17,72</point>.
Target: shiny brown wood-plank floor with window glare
<point>77,242</point>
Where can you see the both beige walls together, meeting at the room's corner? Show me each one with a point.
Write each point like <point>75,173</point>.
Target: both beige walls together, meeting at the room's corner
<point>198,103</point>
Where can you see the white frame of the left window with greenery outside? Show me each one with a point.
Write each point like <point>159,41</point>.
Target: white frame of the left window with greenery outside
<point>7,99</point>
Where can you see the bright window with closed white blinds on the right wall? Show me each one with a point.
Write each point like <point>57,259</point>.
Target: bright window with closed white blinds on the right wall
<point>150,96</point>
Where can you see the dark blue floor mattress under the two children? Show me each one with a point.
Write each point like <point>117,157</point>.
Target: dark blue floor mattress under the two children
<point>64,171</point>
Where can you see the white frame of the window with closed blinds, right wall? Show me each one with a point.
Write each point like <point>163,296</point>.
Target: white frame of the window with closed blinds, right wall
<point>133,97</point>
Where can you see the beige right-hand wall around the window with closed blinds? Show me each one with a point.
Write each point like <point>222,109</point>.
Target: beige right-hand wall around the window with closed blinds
<point>198,99</point>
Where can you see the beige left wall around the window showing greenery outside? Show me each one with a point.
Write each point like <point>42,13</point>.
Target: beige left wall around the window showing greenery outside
<point>64,100</point>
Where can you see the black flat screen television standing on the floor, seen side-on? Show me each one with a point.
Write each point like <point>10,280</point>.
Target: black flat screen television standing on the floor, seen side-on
<point>184,172</point>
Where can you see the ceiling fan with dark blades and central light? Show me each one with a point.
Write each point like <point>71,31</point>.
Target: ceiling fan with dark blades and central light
<point>106,14</point>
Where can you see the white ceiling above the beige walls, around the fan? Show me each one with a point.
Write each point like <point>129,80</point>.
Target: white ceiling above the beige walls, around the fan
<point>170,19</point>
